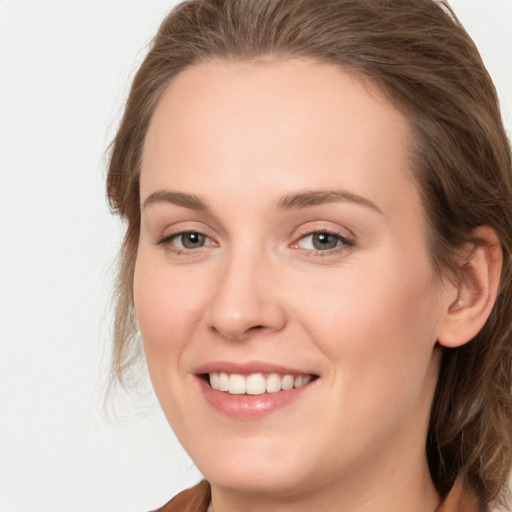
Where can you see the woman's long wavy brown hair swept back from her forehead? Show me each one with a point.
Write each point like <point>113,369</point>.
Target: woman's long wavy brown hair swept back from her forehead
<point>421,57</point>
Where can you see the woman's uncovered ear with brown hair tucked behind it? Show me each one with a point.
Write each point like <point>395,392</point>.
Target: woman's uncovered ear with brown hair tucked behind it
<point>469,302</point>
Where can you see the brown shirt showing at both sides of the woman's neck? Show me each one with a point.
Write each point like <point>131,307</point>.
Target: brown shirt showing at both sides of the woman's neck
<point>197,499</point>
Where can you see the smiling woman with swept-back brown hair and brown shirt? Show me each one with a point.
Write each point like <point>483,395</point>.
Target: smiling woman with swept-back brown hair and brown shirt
<point>318,199</point>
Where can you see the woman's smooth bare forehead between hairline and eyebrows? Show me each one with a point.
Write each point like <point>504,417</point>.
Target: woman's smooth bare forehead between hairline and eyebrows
<point>258,118</point>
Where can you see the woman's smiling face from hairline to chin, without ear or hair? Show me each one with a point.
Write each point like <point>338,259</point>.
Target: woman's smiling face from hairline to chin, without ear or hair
<point>283,243</point>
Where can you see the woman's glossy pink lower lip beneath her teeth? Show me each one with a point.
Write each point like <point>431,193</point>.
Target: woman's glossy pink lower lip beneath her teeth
<point>250,406</point>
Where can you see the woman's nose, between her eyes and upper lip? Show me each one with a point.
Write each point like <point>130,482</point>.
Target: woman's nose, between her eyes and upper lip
<point>245,300</point>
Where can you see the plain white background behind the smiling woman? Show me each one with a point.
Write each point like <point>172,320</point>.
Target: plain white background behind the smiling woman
<point>65,67</point>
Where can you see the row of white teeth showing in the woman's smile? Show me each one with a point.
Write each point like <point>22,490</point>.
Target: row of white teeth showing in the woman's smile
<point>256,383</point>
